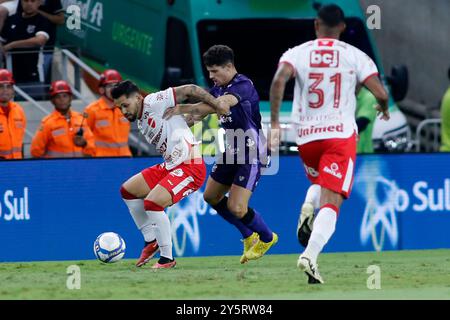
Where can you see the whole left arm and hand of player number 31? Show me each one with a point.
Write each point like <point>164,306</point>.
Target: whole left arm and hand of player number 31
<point>283,74</point>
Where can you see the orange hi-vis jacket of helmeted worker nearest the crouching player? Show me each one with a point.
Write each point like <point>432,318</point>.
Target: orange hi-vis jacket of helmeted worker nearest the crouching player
<point>110,128</point>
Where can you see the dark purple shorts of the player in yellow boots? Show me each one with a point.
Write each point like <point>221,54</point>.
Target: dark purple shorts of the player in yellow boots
<point>243,175</point>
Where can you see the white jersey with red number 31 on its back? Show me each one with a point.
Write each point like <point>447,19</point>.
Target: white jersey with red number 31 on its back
<point>326,74</point>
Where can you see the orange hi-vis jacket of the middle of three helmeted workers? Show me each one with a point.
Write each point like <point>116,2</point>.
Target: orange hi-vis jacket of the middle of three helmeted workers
<point>54,137</point>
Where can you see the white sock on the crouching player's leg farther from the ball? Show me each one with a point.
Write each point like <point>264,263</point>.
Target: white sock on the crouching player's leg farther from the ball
<point>161,226</point>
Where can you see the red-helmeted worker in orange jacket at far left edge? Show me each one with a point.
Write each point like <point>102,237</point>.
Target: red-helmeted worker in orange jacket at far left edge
<point>12,119</point>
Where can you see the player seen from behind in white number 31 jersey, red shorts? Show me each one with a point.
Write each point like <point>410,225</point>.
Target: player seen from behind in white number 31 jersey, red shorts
<point>326,73</point>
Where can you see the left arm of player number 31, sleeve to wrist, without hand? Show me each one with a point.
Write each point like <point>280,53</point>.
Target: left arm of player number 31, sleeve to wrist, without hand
<point>283,74</point>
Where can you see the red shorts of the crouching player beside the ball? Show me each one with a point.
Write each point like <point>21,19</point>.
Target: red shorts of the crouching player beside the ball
<point>179,181</point>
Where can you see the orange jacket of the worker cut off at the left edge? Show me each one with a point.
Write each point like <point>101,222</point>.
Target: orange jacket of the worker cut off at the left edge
<point>12,130</point>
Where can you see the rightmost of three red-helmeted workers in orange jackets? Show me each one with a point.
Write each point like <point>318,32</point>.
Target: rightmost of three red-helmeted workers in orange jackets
<point>106,121</point>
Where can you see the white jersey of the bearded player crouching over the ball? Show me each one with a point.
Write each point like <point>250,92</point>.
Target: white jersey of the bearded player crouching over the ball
<point>172,137</point>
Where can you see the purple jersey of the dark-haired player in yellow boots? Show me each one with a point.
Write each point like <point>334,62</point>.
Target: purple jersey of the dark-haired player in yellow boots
<point>244,116</point>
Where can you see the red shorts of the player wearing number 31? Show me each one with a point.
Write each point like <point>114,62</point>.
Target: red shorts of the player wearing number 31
<point>330,163</point>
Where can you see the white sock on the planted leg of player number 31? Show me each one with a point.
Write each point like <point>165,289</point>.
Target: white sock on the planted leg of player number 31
<point>323,229</point>
